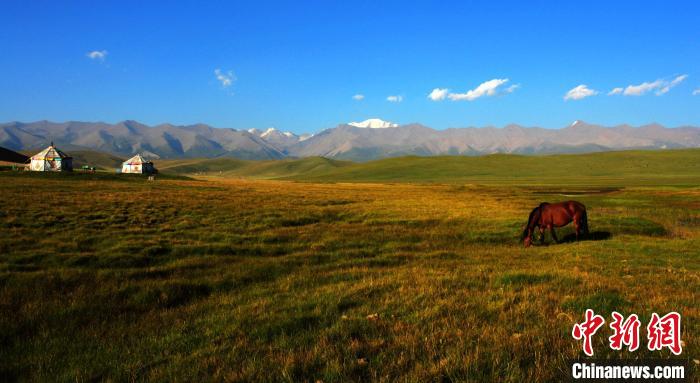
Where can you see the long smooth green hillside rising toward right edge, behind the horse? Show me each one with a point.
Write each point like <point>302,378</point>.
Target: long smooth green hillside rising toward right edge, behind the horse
<point>670,166</point>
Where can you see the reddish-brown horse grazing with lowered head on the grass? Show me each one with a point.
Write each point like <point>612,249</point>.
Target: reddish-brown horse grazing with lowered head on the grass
<point>551,215</point>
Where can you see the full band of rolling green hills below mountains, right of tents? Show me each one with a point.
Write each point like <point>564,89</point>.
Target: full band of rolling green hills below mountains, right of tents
<point>640,167</point>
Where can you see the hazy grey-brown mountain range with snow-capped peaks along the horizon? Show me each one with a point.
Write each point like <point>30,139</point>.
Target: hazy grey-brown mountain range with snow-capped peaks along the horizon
<point>357,141</point>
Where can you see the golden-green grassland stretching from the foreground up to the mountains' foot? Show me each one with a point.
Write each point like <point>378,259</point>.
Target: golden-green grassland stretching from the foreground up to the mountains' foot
<point>106,277</point>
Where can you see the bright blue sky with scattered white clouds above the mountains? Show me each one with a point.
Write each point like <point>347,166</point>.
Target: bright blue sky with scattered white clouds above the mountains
<point>297,65</point>
